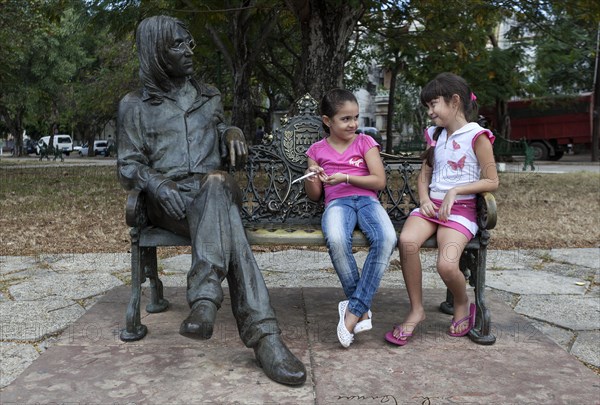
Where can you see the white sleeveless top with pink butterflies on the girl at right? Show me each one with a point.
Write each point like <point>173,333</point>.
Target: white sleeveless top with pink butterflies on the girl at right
<point>455,160</point>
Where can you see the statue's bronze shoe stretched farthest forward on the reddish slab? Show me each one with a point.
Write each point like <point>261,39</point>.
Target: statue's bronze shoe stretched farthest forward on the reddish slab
<point>278,363</point>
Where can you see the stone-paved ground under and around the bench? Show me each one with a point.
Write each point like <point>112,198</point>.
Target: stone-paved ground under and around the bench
<point>59,315</point>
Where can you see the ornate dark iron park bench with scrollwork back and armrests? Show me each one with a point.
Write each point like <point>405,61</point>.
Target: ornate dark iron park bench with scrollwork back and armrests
<point>277,212</point>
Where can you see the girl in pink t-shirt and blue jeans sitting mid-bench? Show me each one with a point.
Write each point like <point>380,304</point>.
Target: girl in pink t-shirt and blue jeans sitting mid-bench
<point>349,171</point>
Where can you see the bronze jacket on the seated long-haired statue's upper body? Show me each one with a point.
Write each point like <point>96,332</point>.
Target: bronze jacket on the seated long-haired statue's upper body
<point>161,141</point>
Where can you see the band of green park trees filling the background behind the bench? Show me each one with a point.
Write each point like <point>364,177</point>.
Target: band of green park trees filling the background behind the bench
<point>67,63</point>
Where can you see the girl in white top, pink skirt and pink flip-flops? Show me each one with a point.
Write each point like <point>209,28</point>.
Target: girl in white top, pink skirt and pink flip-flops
<point>458,164</point>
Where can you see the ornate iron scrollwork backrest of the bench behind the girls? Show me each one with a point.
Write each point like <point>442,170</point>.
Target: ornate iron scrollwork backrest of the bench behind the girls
<point>269,195</point>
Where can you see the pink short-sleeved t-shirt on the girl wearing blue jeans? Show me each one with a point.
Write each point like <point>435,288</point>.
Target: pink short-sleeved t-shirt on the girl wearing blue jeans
<point>351,162</point>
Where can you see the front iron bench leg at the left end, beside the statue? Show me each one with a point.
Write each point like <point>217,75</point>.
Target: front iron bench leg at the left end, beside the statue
<point>134,329</point>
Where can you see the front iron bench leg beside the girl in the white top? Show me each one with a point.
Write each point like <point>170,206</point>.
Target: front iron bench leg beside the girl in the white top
<point>481,333</point>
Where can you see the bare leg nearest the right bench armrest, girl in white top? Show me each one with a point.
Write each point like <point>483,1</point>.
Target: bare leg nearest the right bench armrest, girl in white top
<point>451,244</point>
